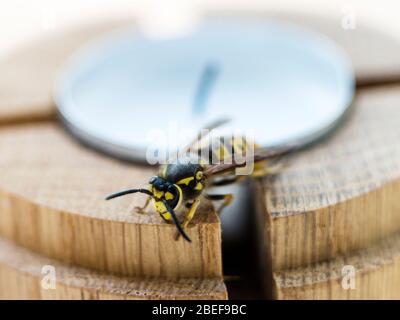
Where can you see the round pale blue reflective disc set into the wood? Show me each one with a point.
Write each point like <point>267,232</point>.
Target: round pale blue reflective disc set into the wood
<point>283,83</point>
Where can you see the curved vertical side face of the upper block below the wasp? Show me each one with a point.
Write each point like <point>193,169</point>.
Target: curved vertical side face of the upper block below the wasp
<point>130,249</point>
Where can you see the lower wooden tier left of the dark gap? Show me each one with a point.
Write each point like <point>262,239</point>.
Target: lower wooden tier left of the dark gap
<point>22,274</point>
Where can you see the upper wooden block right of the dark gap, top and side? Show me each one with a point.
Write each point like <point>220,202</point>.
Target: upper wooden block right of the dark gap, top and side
<point>341,195</point>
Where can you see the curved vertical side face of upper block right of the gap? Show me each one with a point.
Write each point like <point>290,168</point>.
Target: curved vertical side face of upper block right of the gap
<point>334,230</point>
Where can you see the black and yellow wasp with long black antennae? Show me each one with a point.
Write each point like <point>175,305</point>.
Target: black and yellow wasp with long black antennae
<point>182,183</point>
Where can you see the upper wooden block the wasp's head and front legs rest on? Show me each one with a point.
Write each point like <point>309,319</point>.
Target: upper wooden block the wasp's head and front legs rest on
<point>52,201</point>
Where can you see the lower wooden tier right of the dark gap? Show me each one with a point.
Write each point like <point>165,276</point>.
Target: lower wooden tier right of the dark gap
<point>377,276</point>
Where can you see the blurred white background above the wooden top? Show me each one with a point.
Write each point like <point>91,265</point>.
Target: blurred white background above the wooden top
<point>22,21</point>
